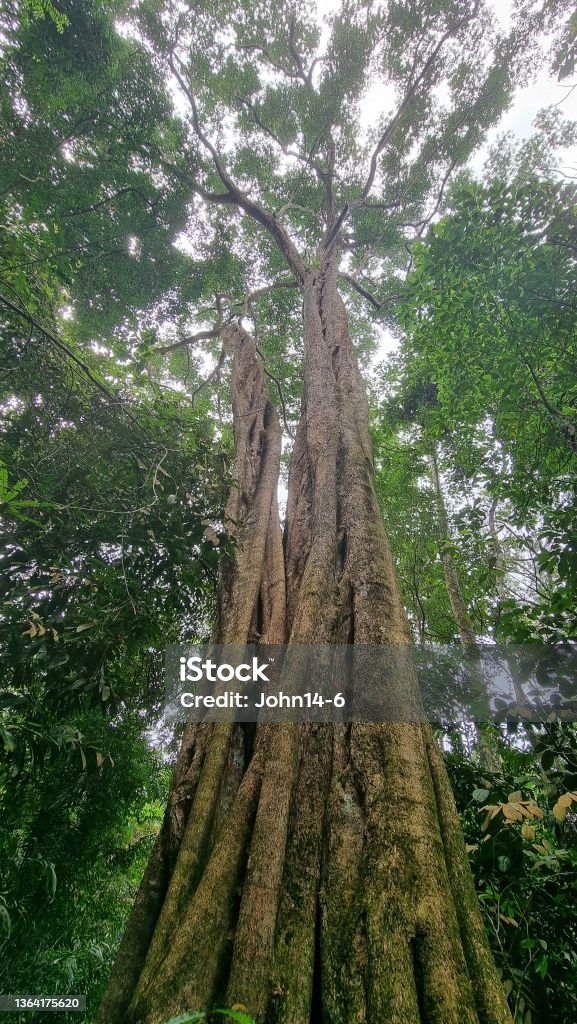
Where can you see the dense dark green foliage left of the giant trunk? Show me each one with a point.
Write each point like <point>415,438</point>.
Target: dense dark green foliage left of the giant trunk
<point>108,484</point>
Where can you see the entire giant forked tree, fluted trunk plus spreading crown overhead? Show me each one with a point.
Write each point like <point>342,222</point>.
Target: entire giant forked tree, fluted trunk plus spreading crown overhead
<point>309,872</point>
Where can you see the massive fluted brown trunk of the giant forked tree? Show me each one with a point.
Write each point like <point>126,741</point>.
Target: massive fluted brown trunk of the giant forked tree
<point>314,873</point>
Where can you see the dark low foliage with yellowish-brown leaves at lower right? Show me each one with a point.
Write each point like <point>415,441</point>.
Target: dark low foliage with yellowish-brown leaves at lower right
<point>525,866</point>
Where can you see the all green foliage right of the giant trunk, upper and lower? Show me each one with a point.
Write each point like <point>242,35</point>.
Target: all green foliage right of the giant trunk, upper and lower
<point>486,373</point>
